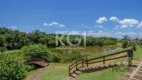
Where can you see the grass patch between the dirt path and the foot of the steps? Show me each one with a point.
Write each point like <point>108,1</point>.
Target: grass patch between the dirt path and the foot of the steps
<point>58,71</point>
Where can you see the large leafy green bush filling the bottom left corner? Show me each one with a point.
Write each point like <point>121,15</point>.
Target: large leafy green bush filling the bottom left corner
<point>11,67</point>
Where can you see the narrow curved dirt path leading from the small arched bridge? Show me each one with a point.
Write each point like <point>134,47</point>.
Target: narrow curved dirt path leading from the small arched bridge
<point>37,74</point>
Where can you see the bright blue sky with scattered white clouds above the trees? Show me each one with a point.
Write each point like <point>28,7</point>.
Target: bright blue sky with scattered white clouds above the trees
<point>98,17</point>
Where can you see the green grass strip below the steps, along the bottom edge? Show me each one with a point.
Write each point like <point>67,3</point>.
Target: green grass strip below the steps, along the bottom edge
<point>107,74</point>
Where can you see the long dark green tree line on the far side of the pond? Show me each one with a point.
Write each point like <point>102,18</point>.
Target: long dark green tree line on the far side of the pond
<point>14,39</point>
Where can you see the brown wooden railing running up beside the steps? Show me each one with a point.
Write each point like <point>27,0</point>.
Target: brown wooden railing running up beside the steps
<point>80,63</point>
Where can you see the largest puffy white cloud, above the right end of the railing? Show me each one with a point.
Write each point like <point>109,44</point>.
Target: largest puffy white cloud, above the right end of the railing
<point>128,23</point>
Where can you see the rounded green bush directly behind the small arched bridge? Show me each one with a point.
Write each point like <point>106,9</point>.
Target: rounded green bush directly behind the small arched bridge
<point>37,51</point>
